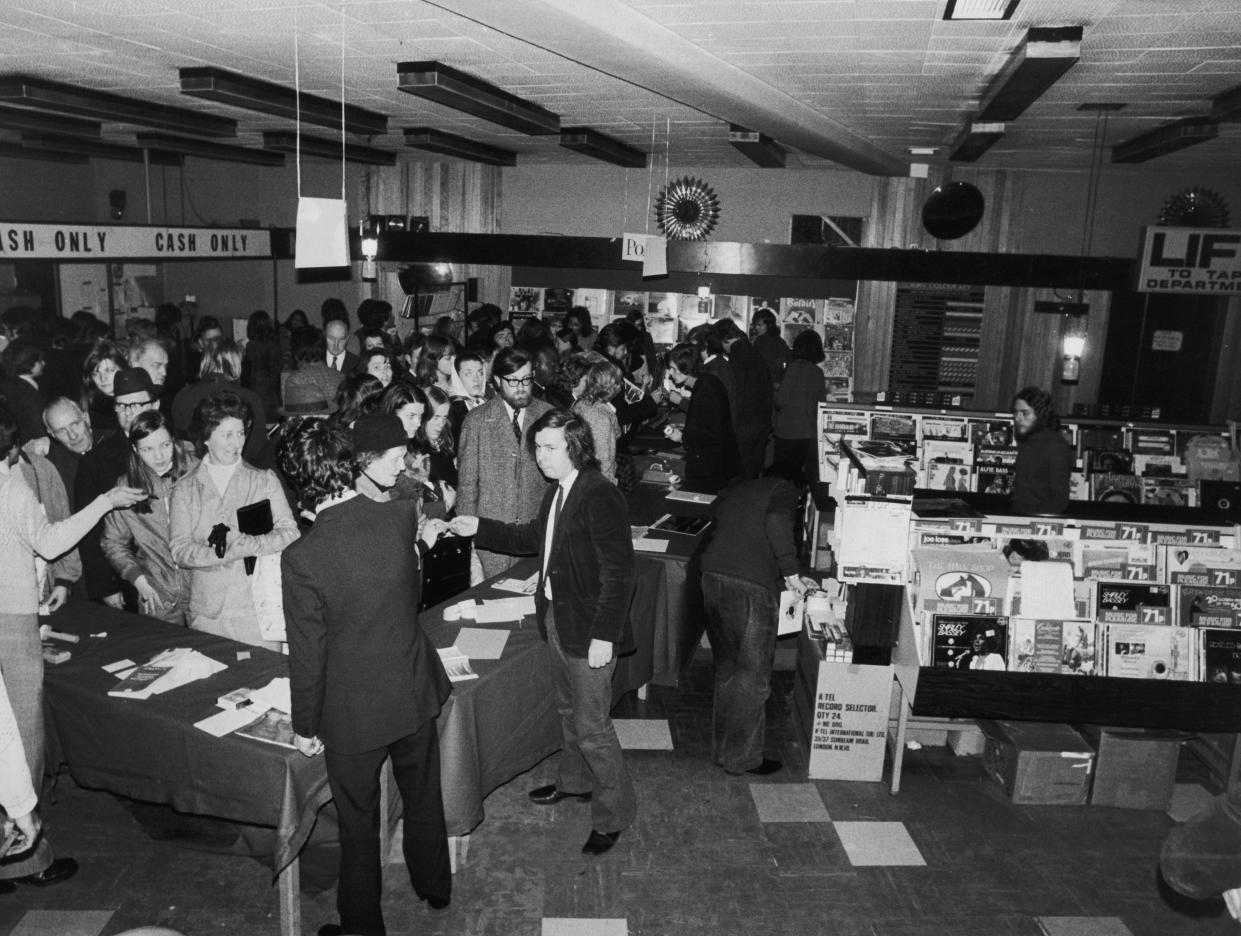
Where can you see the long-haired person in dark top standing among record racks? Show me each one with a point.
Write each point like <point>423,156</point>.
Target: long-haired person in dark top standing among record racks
<point>1044,460</point>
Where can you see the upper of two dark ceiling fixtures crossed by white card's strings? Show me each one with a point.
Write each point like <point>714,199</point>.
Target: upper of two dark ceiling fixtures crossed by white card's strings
<point>236,90</point>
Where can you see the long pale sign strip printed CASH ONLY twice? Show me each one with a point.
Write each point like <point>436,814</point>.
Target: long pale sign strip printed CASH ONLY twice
<point>112,243</point>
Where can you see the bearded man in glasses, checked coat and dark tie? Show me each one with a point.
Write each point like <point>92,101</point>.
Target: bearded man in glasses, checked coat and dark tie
<point>498,476</point>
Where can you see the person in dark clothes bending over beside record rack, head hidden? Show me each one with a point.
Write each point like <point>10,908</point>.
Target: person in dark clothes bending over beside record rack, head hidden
<point>750,562</point>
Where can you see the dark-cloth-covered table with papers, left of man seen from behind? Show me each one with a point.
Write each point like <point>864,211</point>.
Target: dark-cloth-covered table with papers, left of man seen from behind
<point>150,749</point>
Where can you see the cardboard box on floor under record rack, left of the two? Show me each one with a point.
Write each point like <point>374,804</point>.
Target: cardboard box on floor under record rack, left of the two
<point>1038,764</point>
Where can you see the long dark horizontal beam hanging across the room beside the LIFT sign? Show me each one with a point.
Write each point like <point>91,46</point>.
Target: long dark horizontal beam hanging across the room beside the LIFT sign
<point>807,261</point>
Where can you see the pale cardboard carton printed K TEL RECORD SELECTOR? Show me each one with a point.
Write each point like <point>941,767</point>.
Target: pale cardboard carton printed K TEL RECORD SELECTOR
<point>849,729</point>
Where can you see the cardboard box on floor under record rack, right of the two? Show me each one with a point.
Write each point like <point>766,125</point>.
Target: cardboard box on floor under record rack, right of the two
<point>1135,769</point>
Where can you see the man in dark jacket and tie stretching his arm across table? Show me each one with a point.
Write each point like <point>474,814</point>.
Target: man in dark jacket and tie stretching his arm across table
<point>583,601</point>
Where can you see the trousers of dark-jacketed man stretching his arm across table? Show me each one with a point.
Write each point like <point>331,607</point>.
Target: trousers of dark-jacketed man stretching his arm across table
<point>591,762</point>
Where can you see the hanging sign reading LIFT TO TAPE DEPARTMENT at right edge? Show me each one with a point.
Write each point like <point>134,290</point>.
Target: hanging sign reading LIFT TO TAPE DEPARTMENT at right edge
<point>1191,260</point>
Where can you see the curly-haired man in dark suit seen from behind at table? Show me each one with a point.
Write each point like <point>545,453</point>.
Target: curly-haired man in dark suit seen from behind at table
<point>367,682</point>
